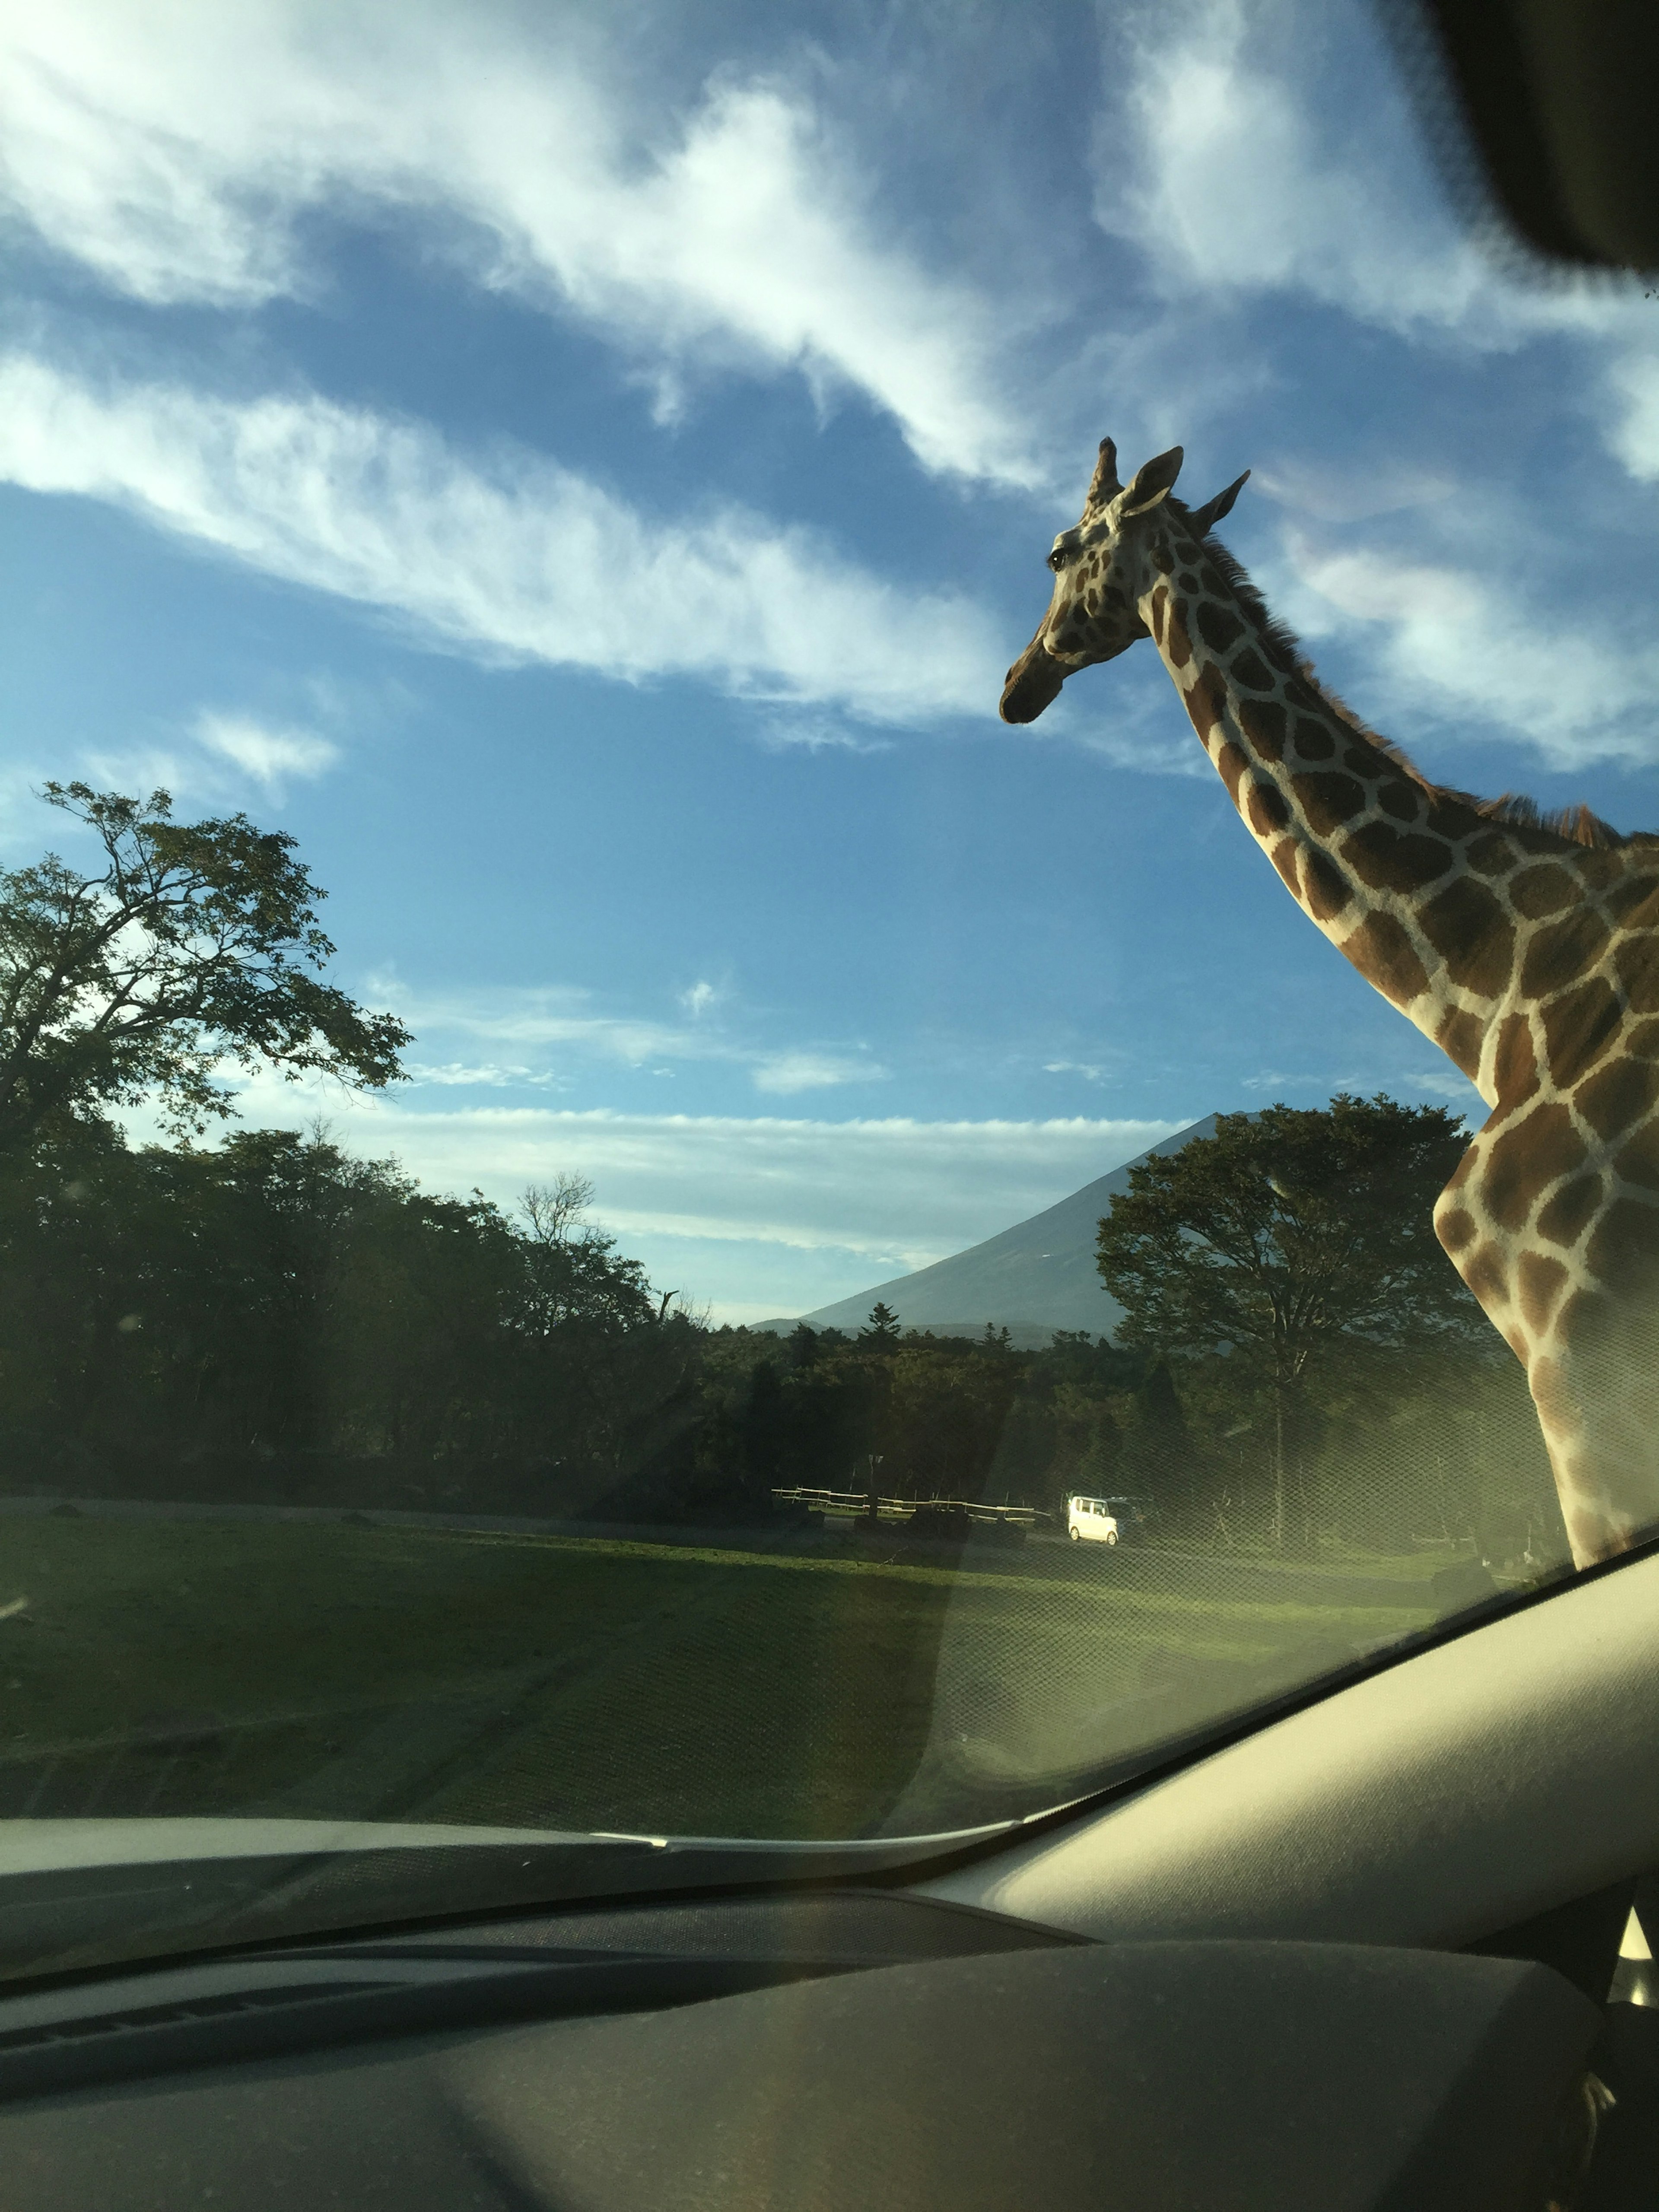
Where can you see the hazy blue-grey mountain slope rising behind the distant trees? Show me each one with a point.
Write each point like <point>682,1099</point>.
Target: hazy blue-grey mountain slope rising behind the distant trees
<point>1032,1280</point>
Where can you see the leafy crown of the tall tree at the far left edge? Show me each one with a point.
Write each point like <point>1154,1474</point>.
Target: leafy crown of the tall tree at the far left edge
<point>194,946</point>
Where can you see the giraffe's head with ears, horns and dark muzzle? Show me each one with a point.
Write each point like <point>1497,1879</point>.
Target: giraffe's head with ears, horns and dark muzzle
<point>1103,567</point>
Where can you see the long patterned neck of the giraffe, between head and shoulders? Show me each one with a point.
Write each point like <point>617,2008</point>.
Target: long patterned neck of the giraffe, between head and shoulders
<point>1397,877</point>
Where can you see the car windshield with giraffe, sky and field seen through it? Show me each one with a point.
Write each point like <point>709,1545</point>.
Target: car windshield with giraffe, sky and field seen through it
<point>733,1116</point>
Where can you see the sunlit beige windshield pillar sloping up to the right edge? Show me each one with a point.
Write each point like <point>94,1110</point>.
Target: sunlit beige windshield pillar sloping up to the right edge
<point>1432,1804</point>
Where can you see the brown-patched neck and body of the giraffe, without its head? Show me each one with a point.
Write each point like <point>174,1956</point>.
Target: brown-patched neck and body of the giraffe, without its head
<point>1534,970</point>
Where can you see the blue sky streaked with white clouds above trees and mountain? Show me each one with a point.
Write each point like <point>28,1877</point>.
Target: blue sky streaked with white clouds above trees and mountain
<point>585,474</point>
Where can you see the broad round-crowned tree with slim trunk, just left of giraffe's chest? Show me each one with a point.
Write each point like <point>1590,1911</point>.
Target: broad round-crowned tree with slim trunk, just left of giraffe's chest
<point>1282,1235</point>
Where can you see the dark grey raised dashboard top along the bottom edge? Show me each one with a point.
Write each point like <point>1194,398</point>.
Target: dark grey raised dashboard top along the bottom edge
<point>1147,2076</point>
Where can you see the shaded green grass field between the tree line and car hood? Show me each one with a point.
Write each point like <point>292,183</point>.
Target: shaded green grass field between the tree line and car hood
<point>589,1684</point>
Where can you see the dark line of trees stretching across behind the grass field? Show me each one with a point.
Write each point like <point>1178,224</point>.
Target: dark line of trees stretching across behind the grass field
<point>269,1315</point>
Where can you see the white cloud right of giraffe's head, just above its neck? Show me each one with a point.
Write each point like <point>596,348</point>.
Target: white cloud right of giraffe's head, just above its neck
<point>1465,649</point>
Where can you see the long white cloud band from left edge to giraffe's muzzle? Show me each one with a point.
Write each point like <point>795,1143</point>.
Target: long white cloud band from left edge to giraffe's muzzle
<point>521,559</point>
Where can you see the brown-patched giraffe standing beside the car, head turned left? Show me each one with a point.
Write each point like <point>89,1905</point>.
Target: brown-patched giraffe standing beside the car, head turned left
<point>1527,950</point>
